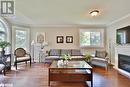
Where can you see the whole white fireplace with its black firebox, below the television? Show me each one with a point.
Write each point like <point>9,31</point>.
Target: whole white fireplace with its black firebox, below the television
<point>122,56</point>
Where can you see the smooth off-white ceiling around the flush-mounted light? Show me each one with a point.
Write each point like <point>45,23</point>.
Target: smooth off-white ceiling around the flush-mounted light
<point>68,12</point>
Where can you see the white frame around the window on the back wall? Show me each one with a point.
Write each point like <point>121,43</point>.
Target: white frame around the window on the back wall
<point>93,30</point>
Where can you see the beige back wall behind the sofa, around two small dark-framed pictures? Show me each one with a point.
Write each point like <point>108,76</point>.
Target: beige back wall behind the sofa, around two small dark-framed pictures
<point>52,32</point>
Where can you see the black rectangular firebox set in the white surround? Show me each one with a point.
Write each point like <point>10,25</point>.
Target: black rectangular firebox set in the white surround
<point>124,62</point>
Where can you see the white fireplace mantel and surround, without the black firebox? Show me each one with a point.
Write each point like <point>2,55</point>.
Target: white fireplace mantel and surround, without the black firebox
<point>125,50</point>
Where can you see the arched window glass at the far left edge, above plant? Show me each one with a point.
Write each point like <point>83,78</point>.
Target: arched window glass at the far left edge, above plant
<point>2,31</point>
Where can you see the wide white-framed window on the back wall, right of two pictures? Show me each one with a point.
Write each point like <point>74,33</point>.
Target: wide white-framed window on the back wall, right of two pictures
<point>92,38</point>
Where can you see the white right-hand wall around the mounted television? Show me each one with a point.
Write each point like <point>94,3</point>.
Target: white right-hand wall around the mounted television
<point>111,34</point>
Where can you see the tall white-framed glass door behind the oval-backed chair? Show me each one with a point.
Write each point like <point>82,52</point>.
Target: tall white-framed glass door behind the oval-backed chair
<point>20,38</point>
